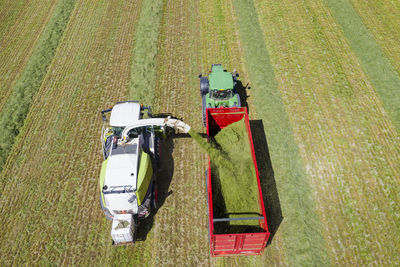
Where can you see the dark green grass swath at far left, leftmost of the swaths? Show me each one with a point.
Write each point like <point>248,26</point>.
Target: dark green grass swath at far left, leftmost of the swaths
<point>13,115</point>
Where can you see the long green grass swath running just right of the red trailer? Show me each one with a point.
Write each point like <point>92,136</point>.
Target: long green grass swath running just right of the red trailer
<point>302,231</point>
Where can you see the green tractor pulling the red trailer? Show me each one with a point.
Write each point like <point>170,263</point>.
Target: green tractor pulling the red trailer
<point>219,89</point>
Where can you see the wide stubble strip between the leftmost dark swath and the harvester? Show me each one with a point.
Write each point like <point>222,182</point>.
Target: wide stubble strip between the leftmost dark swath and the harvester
<point>50,201</point>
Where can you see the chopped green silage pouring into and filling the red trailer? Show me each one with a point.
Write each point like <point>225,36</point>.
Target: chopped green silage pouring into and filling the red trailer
<point>234,181</point>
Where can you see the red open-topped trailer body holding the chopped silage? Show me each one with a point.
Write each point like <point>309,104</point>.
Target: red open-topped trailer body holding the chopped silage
<point>242,243</point>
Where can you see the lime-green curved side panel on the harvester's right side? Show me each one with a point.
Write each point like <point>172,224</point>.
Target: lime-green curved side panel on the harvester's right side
<point>144,176</point>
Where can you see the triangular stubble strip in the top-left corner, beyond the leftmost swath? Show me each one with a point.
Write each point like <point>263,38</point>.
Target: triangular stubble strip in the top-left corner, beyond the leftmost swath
<point>25,21</point>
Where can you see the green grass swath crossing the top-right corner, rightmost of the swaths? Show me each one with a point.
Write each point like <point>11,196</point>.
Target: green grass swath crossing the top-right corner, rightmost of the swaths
<point>378,68</point>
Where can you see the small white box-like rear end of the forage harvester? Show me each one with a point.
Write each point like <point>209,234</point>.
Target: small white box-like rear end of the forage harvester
<point>124,232</point>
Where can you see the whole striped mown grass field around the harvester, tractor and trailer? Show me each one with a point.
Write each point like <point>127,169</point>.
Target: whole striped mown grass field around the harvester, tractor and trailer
<point>333,143</point>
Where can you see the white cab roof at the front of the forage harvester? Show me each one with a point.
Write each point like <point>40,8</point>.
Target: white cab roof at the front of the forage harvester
<point>124,114</point>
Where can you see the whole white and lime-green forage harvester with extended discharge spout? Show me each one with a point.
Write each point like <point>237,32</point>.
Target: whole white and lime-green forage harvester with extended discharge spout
<point>128,177</point>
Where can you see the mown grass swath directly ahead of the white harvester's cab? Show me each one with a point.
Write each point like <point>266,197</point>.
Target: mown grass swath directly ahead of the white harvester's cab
<point>143,73</point>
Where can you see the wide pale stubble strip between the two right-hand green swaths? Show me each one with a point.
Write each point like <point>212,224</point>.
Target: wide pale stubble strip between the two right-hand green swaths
<point>348,144</point>
